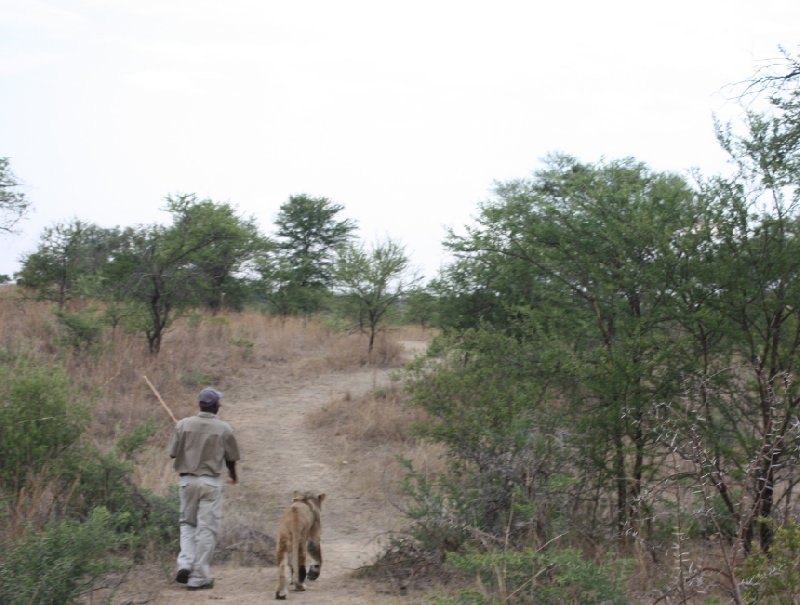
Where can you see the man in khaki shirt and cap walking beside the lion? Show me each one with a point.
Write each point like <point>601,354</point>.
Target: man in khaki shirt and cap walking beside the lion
<point>202,446</point>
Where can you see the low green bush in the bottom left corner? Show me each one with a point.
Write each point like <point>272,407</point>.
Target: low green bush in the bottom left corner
<point>60,563</point>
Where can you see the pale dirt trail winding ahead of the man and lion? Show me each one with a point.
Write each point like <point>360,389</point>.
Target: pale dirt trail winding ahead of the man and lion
<point>280,454</point>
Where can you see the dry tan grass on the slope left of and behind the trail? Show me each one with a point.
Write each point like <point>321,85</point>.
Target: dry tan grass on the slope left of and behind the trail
<point>199,349</point>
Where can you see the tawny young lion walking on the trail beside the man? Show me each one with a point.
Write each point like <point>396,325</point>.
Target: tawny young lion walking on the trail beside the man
<point>298,537</point>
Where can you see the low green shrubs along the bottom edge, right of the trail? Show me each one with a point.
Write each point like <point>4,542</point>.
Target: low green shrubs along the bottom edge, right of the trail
<point>547,577</point>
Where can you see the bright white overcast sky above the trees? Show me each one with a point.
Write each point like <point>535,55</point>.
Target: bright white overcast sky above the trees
<point>405,112</point>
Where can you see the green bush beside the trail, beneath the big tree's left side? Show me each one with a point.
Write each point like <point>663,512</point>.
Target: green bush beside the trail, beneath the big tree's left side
<point>483,392</point>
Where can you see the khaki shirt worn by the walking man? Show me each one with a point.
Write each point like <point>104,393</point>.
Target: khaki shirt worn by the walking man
<point>202,444</point>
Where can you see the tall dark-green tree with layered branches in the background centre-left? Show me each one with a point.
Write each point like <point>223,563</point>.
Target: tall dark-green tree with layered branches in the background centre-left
<point>308,234</point>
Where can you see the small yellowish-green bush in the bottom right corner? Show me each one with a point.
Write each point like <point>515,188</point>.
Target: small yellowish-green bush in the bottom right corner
<point>773,577</point>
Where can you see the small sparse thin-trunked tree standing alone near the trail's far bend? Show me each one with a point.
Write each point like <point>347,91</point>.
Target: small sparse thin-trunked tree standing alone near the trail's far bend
<point>373,280</point>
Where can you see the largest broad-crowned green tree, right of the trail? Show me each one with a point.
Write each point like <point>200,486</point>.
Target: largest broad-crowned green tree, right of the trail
<point>583,254</point>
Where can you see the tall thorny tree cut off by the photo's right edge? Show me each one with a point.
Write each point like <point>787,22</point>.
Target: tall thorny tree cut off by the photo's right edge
<point>742,312</point>
